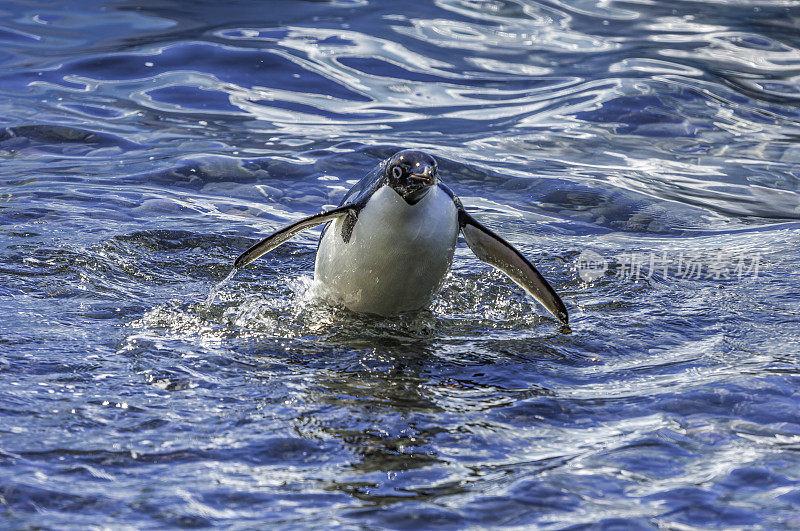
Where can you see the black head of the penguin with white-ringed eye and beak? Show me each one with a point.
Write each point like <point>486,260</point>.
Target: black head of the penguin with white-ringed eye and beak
<point>411,174</point>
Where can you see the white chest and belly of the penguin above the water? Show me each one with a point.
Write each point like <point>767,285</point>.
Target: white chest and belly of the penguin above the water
<point>397,255</point>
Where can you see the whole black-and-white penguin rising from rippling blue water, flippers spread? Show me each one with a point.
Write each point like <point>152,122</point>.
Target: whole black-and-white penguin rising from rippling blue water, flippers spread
<point>388,246</point>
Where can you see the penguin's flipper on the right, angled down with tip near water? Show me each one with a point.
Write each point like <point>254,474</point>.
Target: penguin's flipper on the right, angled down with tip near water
<point>495,251</point>
